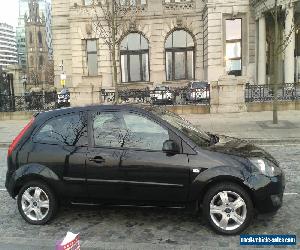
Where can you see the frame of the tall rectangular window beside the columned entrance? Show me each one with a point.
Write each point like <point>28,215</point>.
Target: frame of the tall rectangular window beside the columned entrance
<point>230,41</point>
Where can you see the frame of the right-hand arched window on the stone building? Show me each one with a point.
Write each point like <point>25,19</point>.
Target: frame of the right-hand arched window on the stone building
<point>174,50</point>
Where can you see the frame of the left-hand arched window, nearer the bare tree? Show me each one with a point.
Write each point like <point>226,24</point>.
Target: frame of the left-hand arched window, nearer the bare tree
<point>140,53</point>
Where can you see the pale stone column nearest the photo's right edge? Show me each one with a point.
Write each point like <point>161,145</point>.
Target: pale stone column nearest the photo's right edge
<point>289,56</point>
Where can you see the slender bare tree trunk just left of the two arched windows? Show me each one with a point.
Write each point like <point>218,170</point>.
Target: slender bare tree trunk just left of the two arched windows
<point>113,52</point>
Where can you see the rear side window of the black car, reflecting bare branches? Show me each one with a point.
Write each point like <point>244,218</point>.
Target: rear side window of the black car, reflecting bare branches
<point>67,130</point>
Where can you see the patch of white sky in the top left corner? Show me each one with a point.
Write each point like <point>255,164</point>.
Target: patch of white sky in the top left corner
<point>9,11</point>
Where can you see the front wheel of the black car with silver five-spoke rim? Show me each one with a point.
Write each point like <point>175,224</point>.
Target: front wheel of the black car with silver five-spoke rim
<point>228,208</point>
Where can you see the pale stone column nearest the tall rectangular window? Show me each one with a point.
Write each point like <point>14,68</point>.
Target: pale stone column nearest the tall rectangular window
<point>261,76</point>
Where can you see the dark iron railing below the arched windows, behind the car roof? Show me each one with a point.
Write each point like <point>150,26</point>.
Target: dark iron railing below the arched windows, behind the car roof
<point>176,96</point>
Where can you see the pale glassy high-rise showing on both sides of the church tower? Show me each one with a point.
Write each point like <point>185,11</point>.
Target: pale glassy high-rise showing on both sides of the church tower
<point>44,9</point>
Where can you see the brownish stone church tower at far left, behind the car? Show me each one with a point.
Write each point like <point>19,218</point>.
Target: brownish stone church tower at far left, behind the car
<point>37,49</point>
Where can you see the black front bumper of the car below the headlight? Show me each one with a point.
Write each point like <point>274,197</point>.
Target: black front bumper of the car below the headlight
<point>267,192</point>
